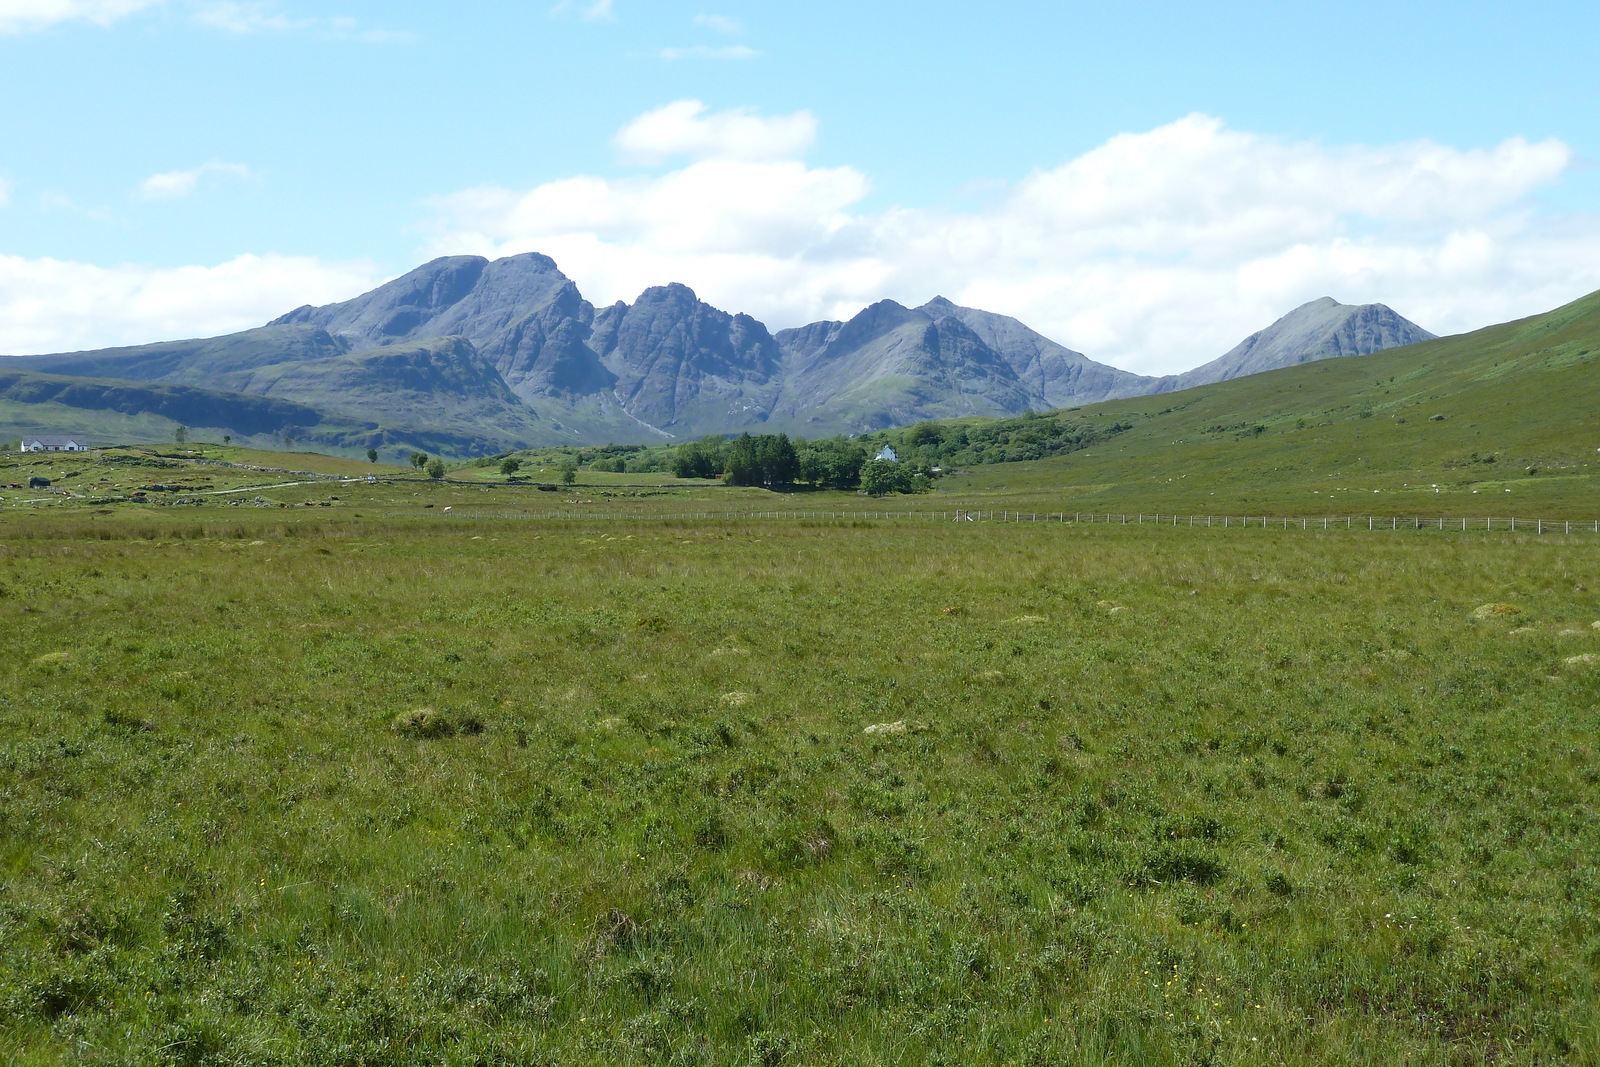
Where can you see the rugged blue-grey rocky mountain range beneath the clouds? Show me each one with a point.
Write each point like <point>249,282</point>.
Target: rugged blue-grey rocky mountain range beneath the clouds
<point>474,356</point>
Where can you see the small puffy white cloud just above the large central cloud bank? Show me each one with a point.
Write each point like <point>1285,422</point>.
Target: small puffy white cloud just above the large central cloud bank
<point>686,129</point>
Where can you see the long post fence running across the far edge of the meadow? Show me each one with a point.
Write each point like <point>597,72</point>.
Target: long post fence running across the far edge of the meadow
<point>1372,524</point>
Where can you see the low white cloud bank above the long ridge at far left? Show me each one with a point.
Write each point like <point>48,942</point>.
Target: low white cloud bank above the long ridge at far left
<point>58,306</point>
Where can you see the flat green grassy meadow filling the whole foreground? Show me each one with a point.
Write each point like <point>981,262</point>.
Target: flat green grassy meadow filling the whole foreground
<point>338,788</point>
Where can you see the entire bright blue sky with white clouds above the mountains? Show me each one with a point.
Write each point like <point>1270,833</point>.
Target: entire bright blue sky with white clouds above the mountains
<point>1143,182</point>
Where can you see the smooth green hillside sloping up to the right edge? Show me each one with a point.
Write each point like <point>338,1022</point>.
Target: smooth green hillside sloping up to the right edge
<point>1444,426</point>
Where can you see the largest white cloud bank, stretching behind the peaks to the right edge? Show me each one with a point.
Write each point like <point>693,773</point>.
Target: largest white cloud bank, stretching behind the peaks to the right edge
<point>1154,252</point>
